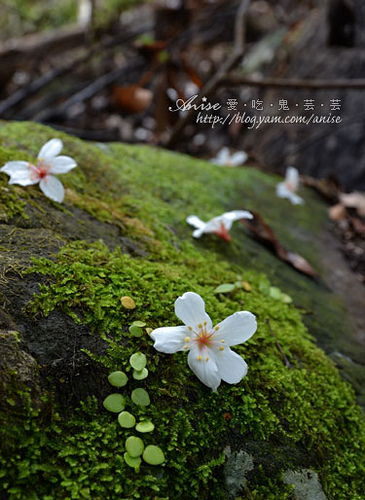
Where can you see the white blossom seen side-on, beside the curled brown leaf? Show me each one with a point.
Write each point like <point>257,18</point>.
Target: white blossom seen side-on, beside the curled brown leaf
<point>219,225</point>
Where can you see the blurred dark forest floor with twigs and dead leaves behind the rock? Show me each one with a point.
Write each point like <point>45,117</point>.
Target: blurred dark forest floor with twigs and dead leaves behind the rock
<point>110,71</point>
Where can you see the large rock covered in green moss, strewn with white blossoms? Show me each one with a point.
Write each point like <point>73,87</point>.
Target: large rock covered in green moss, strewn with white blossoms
<point>122,232</point>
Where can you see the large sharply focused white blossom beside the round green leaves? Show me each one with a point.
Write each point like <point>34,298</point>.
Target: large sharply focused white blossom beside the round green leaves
<point>210,356</point>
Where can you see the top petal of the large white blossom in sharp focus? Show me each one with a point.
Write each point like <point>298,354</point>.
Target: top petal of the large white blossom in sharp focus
<point>190,308</point>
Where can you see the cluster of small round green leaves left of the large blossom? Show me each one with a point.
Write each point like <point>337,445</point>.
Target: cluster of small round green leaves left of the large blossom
<point>116,403</point>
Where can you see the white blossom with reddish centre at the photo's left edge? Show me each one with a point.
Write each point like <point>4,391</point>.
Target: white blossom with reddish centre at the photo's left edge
<point>49,163</point>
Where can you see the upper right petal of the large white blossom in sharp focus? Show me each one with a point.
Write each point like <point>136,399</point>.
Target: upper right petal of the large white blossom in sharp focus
<point>236,329</point>
